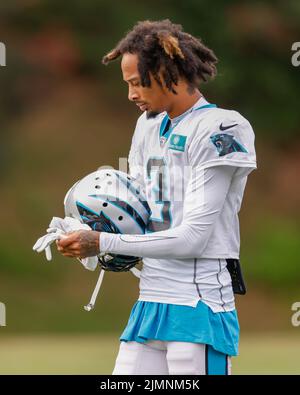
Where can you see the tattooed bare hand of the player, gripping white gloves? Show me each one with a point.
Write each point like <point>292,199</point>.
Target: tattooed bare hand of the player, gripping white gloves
<point>79,244</point>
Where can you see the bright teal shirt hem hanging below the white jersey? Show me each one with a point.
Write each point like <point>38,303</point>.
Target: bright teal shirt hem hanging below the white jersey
<point>170,322</point>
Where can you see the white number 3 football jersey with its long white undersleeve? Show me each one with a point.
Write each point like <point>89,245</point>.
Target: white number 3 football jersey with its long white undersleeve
<point>185,249</point>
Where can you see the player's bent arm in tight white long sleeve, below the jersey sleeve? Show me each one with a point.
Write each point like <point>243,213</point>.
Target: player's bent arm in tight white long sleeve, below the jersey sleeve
<point>205,197</point>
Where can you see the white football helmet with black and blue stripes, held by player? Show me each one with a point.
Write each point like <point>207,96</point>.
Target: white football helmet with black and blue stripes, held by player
<point>109,200</point>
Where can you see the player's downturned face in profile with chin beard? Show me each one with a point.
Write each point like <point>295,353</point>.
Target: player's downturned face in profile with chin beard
<point>153,99</point>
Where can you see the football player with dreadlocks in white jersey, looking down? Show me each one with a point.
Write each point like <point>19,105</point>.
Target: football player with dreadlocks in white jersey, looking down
<point>193,159</point>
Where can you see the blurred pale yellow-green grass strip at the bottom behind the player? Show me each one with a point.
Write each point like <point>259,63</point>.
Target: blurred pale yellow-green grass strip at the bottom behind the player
<point>69,354</point>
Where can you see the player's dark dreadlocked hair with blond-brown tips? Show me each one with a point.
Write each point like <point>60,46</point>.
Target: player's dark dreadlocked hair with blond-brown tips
<point>164,46</point>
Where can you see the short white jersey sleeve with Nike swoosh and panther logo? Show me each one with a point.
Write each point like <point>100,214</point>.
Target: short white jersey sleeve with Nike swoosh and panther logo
<point>227,140</point>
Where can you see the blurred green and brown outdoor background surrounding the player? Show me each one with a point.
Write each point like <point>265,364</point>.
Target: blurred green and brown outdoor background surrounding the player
<point>63,114</point>
